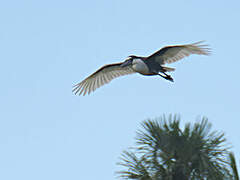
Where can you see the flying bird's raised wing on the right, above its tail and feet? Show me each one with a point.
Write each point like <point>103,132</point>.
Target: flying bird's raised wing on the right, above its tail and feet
<point>172,54</point>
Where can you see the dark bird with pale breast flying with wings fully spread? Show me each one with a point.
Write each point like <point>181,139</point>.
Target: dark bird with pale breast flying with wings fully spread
<point>148,66</point>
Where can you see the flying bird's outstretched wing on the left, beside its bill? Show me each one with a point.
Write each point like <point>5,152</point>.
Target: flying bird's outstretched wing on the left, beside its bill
<point>102,76</point>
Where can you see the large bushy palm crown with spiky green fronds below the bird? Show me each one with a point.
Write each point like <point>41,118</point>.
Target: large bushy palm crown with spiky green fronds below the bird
<point>165,152</point>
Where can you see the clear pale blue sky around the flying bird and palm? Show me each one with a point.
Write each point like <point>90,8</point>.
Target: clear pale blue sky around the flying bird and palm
<point>48,133</point>
